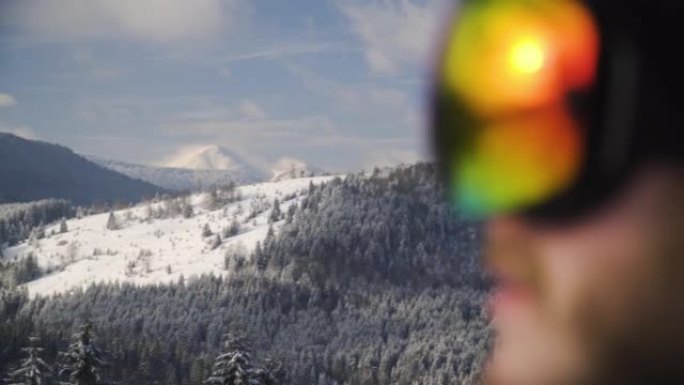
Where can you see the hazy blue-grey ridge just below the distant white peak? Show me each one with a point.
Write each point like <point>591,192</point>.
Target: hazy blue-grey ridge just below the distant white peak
<point>179,179</point>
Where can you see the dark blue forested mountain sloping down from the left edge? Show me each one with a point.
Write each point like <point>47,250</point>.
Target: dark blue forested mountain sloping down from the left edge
<point>33,170</point>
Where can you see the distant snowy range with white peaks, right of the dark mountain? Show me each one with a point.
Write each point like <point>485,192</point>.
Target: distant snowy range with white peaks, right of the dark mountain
<point>209,166</point>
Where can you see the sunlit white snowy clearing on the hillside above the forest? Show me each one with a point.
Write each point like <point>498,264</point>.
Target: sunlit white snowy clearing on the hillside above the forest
<point>159,242</point>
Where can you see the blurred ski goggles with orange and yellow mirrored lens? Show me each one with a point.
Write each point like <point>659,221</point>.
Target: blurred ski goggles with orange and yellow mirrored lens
<point>520,106</point>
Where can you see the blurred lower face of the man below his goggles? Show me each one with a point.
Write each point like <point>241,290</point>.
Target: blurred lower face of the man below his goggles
<point>600,301</point>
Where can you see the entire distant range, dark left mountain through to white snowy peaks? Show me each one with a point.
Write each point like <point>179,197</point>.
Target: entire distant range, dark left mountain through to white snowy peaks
<point>33,170</point>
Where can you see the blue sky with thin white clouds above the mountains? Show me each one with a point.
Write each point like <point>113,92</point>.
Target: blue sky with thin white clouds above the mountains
<point>340,84</point>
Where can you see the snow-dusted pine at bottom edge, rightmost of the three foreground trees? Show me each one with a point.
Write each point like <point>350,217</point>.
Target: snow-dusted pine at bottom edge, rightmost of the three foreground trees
<point>234,367</point>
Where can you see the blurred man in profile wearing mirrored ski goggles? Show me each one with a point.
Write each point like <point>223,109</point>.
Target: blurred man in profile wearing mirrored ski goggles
<point>558,123</point>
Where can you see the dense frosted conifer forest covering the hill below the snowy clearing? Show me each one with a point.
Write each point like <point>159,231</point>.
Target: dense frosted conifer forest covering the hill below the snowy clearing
<point>372,280</point>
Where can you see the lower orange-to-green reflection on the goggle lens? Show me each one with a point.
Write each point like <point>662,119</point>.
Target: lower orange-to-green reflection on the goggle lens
<point>517,161</point>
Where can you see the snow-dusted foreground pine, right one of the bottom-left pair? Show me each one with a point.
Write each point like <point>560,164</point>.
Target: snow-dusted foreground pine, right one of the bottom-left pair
<point>82,362</point>
